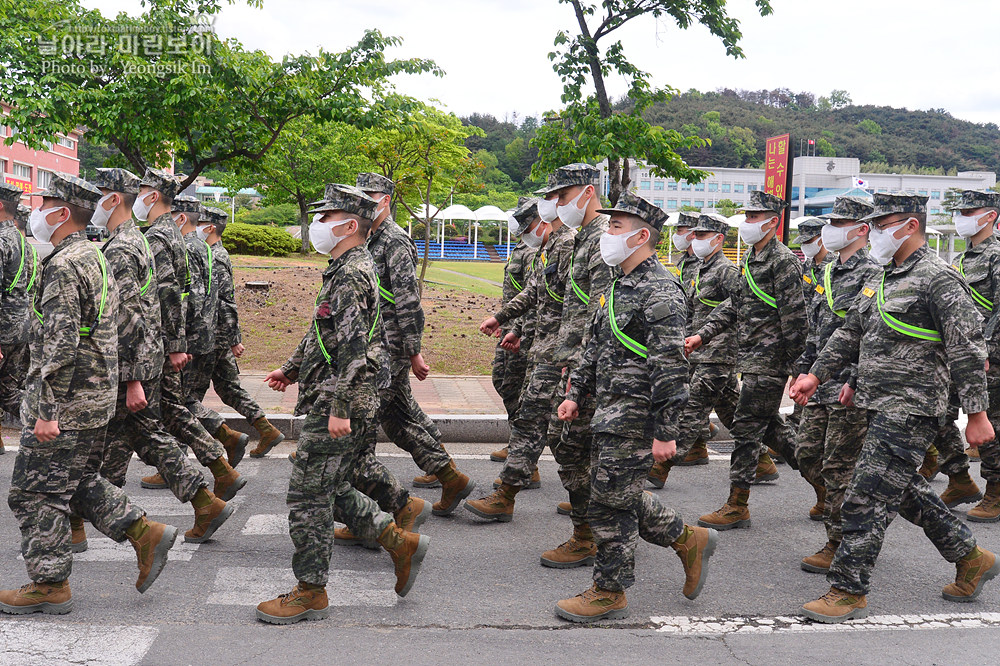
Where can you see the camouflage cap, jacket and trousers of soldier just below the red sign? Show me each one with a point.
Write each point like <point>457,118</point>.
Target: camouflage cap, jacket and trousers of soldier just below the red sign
<point>771,338</point>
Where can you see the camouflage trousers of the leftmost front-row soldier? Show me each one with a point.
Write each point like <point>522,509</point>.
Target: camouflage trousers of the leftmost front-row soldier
<point>54,479</point>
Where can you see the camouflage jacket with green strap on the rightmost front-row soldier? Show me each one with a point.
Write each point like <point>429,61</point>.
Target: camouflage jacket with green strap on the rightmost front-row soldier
<point>902,373</point>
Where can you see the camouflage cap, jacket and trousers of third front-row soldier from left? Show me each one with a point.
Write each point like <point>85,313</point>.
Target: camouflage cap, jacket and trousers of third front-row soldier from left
<point>639,391</point>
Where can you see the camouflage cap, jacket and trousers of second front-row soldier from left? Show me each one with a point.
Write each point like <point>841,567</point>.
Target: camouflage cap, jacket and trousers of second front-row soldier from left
<point>336,366</point>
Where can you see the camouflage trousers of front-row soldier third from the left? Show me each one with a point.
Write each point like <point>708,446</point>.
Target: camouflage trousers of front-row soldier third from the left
<point>620,512</point>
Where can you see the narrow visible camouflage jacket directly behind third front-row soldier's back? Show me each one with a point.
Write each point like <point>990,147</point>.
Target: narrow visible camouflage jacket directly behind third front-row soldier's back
<point>588,274</point>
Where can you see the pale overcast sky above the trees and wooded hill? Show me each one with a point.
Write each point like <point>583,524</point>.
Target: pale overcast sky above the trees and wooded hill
<point>916,54</point>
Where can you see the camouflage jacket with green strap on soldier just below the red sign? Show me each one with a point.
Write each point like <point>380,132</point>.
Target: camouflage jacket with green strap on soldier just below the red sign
<point>771,334</point>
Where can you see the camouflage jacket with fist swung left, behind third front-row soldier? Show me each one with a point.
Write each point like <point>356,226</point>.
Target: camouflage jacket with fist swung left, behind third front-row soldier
<point>544,295</point>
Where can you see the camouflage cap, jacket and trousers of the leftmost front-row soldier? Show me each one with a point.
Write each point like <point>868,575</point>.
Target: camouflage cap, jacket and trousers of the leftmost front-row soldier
<point>73,379</point>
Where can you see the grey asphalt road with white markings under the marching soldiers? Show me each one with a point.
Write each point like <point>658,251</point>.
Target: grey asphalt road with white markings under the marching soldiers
<point>482,596</point>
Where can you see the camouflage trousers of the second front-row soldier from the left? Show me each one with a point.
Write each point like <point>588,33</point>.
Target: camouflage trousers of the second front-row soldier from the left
<point>320,487</point>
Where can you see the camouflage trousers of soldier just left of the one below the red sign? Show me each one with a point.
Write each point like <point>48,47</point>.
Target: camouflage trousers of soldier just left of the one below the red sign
<point>712,387</point>
